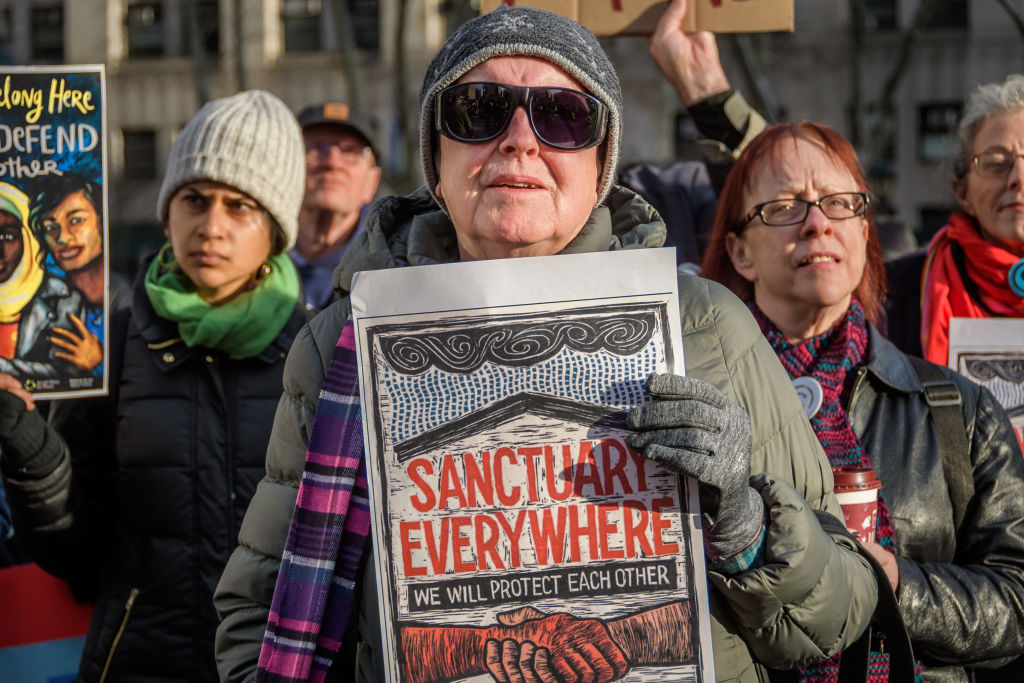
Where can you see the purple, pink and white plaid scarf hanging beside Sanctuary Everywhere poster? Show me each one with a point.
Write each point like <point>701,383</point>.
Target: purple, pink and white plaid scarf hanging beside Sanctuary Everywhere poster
<point>328,538</point>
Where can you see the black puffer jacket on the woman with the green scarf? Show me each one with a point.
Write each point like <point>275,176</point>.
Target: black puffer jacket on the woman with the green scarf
<point>146,511</point>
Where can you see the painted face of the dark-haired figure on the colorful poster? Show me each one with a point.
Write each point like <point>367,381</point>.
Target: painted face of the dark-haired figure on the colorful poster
<point>73,233</point>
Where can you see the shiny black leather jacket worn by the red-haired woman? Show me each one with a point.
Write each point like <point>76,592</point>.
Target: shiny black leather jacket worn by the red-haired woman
<point>962,599</point>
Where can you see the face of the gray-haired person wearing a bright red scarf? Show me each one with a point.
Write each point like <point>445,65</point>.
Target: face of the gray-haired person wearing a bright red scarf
<point>998,203</point>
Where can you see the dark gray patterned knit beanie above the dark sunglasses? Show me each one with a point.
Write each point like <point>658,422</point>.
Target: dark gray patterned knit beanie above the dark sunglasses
<point>527,32</point>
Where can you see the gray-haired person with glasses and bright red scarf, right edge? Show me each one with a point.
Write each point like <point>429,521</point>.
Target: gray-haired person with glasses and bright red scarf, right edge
<point>975,265</point>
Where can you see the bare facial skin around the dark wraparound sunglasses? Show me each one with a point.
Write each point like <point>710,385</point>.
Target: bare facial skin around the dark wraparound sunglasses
<point>514,196</point>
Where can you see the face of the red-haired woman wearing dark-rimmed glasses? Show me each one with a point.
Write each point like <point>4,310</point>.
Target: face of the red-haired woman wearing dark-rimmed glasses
<point>808,271</point>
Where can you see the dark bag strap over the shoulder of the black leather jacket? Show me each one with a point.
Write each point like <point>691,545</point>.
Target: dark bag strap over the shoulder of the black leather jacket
<point>944,399</point>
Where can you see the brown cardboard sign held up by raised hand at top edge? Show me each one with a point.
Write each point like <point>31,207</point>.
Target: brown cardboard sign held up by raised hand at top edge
<point>639,18</point>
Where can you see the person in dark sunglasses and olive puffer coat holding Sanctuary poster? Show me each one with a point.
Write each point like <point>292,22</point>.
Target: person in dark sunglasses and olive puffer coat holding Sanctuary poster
<point>521,122</point>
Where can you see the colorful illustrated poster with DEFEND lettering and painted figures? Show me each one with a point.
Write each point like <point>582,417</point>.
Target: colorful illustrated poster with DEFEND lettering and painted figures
<point>54,272</point>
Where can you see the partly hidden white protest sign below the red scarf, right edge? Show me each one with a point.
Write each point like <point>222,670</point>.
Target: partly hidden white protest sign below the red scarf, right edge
<point>991,353</point>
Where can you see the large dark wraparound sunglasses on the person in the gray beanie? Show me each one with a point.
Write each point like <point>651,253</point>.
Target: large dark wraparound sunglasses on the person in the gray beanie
<point>562,118</point>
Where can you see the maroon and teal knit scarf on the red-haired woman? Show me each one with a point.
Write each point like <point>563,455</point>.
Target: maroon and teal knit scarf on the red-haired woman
<point>833,360</point>
